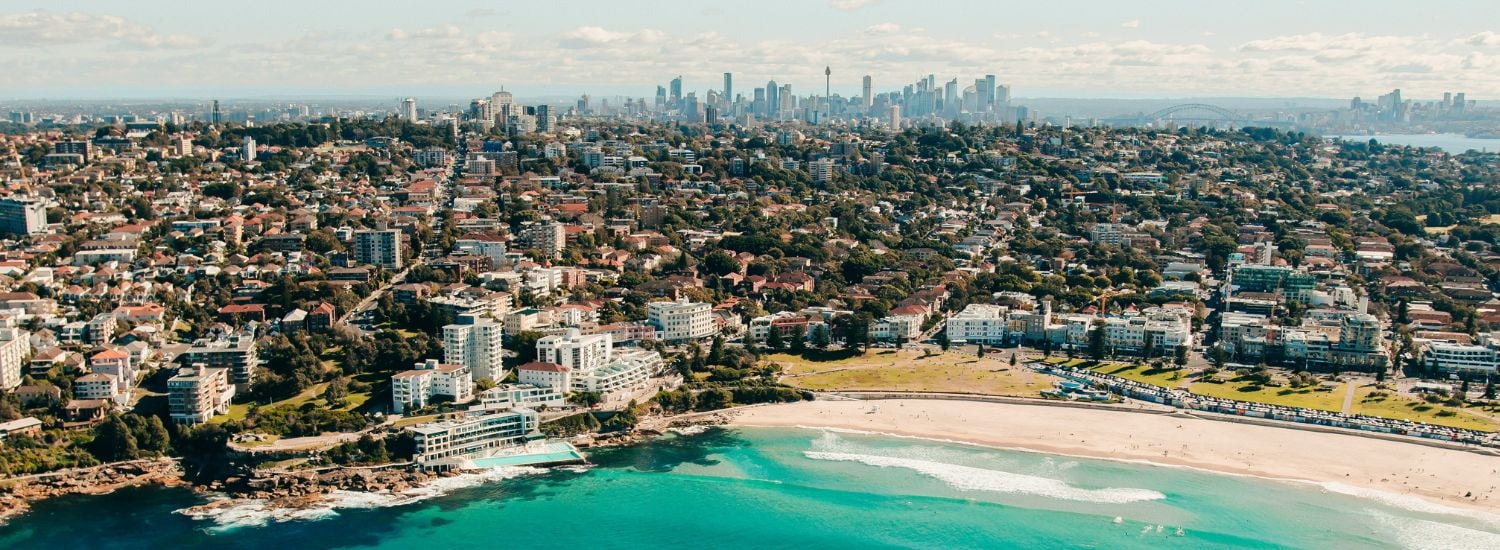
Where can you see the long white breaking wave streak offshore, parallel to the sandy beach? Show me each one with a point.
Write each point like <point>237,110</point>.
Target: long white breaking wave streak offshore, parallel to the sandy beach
<point>973,479</point>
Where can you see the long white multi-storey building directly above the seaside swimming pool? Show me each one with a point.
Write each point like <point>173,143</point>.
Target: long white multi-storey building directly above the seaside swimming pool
<point>473,435</point>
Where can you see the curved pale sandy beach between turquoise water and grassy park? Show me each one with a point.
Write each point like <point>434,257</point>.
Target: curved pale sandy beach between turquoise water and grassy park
<point>1435,474</point>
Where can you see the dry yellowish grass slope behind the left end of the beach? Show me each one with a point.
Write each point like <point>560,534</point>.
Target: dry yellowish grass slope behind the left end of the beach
<point>908,371</point>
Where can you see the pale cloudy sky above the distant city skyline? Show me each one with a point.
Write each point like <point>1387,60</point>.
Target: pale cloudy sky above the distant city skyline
<point>464,49</point>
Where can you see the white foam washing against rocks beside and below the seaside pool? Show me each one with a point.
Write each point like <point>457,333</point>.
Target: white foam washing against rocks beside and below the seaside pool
<point>253,513</point>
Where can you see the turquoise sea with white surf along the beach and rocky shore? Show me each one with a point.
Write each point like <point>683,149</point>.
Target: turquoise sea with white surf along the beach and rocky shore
<point>800,489</point>
